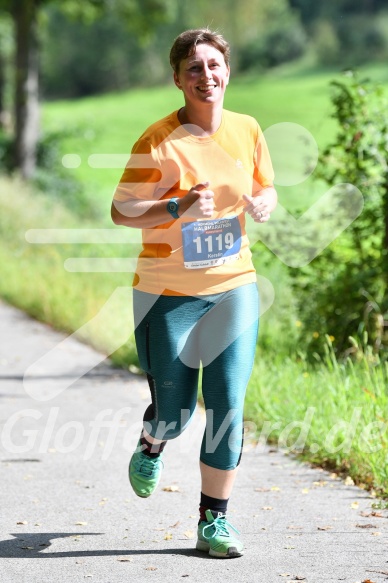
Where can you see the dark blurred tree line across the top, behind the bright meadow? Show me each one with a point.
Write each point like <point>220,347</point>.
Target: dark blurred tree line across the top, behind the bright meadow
<point>67,48</point>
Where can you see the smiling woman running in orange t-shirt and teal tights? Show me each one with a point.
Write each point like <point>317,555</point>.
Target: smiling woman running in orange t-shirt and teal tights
<point>191,179</point>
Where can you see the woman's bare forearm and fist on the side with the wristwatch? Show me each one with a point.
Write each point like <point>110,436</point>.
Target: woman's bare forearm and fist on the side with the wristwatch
<point>198,203</point>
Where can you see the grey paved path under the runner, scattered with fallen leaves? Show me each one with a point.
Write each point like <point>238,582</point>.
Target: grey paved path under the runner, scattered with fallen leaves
<point>69,515</point>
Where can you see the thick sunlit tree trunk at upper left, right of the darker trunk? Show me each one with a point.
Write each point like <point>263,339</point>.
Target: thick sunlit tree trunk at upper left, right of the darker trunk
<point>26,86</point>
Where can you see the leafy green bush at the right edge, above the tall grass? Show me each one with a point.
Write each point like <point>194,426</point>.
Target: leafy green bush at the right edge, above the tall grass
<point>343,292</point>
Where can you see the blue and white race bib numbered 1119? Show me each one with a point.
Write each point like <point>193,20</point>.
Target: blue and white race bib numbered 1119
<point>211,243</point>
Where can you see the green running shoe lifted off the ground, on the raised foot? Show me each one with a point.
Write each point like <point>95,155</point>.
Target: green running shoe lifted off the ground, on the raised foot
<point>144,472</point>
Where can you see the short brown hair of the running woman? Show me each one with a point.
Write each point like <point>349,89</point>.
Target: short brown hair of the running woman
<point>185,44</point>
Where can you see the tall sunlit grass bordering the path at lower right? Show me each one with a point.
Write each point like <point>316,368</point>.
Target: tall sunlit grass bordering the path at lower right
<point>333,414</point>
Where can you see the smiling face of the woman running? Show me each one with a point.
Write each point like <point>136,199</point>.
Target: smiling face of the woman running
<point>203,77</point>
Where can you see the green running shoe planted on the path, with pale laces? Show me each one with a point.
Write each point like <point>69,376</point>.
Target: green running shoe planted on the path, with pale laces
<point>214,537</point>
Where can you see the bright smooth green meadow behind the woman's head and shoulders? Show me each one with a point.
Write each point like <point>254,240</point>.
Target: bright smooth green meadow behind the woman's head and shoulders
<point>110,124</point>
